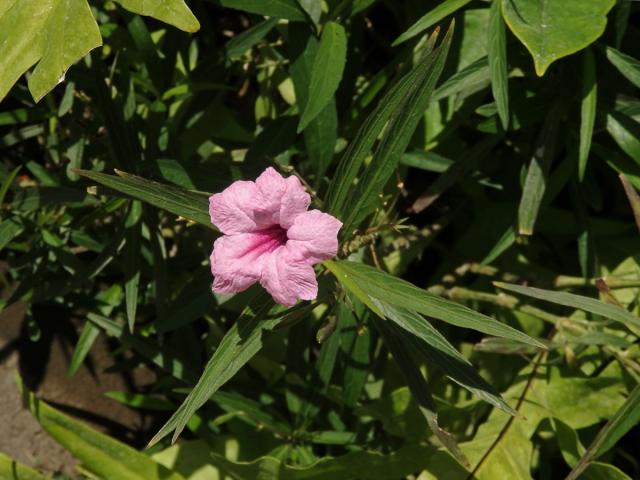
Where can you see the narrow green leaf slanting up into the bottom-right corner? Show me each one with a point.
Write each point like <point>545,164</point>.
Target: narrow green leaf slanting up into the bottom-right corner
<point>626,418</point>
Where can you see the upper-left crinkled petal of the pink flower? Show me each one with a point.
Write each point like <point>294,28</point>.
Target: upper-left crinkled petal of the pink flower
<point>234,209</point>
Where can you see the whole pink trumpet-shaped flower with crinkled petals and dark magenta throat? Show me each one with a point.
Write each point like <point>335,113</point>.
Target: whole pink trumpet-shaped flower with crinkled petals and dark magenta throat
<point>270,237</point>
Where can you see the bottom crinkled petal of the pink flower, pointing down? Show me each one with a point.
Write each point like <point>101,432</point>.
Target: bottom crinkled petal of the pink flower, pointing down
<point>288,280</point>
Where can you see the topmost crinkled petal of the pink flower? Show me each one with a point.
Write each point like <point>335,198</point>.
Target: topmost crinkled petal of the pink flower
<point>282,198</point>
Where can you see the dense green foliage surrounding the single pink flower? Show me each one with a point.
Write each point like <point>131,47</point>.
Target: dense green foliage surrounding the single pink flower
<point>472,150</point>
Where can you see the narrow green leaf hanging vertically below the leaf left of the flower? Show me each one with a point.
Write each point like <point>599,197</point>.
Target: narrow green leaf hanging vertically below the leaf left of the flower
<point>133,226</point>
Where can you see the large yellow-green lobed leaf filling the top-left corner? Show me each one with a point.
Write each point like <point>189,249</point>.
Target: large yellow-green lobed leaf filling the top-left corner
<point>37,31</point>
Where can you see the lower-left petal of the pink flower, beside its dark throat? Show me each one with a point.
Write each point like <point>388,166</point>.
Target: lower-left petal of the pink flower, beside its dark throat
<point>237,260</point>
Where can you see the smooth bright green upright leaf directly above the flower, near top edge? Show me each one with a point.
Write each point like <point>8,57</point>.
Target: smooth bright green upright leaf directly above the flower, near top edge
<point>326,72</point>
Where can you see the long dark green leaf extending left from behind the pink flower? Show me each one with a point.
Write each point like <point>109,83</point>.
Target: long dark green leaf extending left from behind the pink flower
<point>190,205</point>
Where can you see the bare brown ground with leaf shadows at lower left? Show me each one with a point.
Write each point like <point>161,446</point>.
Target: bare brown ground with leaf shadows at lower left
<point>43,366</point>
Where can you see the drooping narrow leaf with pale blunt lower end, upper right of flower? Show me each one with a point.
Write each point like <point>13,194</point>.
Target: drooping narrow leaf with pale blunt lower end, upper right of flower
<point>536,182</point>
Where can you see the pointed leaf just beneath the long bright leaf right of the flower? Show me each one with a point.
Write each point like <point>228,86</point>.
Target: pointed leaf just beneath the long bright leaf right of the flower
<point>435,349</point>
